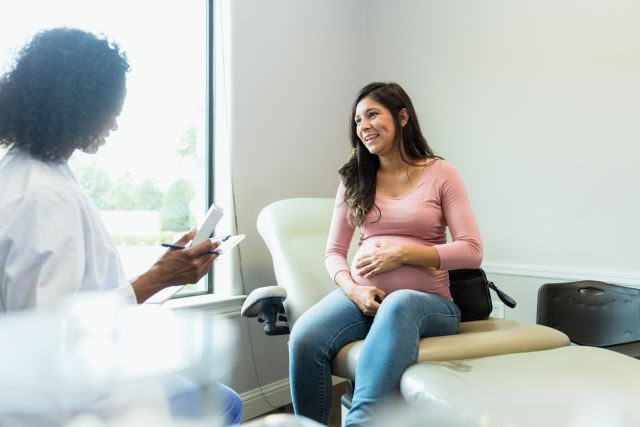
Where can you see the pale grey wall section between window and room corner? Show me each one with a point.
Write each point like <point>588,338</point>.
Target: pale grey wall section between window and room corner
<point>295,66</point>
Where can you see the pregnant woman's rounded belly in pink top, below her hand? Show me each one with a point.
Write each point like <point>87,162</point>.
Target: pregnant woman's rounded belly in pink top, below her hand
<point>404,277</point>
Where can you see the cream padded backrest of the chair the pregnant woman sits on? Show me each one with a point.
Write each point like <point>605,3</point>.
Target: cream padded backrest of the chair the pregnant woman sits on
<point>295,232</point>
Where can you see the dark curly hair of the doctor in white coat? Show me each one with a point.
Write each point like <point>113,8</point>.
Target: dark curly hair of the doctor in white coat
<point>62,89</point>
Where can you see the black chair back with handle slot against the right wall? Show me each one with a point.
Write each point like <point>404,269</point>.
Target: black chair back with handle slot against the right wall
<point>593,313</point>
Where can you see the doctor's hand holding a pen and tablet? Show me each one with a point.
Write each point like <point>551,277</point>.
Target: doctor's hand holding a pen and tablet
<point>176,267</point>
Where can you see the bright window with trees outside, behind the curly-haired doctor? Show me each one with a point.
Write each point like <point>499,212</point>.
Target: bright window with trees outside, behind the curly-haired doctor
<point>153,178</point>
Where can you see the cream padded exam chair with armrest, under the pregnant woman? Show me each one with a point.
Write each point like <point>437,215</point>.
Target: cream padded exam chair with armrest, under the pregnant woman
<point>296,230</point>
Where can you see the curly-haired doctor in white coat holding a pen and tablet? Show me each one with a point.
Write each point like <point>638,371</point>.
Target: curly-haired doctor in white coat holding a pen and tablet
<point>64,93</point>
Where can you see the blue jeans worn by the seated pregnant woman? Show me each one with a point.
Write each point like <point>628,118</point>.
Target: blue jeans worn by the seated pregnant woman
<point>391,344</point>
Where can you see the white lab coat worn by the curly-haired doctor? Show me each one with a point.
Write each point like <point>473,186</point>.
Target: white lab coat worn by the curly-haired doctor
<point>52,239</point>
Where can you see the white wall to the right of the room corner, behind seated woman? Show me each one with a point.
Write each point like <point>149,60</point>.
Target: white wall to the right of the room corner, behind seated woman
<point>536,103</point>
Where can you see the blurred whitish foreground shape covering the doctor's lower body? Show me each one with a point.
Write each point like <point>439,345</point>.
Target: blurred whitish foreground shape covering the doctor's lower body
<point>96,361</point>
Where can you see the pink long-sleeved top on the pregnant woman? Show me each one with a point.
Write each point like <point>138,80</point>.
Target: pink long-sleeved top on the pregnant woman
<point>419,217</point>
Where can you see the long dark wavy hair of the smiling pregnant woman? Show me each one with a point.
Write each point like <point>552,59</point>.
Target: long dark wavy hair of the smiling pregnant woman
<point>359,173</point>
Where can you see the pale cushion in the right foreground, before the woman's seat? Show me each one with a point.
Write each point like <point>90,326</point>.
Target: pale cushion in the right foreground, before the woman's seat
<point>568,386</point>
